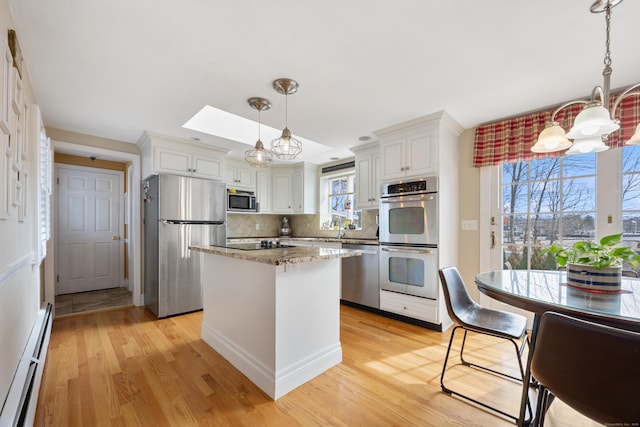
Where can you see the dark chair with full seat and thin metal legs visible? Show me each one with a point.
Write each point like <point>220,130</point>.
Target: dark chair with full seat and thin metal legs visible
<point>470,316</point>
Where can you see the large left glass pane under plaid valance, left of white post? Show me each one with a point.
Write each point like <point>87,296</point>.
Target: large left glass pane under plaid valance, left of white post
<point>546,201</point>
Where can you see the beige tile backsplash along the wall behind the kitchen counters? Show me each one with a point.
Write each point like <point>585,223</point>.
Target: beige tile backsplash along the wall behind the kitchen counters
<point>268,225</point>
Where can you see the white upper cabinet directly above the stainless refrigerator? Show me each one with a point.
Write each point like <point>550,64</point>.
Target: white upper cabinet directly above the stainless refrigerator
<point>165,154</point>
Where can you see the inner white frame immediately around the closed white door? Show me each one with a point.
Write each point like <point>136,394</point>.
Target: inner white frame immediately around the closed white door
<point>120,213</point>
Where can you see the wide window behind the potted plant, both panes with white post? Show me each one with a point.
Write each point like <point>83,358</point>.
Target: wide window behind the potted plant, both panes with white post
<point>554,200</point>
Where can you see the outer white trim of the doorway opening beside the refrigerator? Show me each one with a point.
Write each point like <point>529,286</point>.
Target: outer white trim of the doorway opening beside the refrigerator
<point>133,211</point>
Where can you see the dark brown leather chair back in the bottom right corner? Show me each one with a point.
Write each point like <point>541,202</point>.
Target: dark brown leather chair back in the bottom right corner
<point>593,368</point>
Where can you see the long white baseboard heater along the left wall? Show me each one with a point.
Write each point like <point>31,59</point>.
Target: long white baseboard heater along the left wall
<point>19,408</point>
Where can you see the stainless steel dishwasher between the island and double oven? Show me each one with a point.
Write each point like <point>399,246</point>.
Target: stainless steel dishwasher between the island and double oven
<point>360,276</point>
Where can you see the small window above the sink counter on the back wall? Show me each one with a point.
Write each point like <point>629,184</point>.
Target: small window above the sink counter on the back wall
<point>337,202</point>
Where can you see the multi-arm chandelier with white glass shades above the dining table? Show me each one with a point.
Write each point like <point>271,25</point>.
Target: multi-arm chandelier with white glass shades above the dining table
<point>593,125</point>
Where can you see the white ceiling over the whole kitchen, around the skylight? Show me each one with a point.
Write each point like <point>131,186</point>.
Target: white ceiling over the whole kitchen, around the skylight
<point>117,68</point>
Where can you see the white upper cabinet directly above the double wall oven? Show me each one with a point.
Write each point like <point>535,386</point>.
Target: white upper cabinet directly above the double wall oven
<point>410,151</point>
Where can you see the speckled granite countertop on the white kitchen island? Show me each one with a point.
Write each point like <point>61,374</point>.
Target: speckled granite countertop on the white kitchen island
<point>280,256</point>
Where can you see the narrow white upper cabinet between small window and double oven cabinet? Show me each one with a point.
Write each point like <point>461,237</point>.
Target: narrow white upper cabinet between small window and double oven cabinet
<point>367,175</point>
